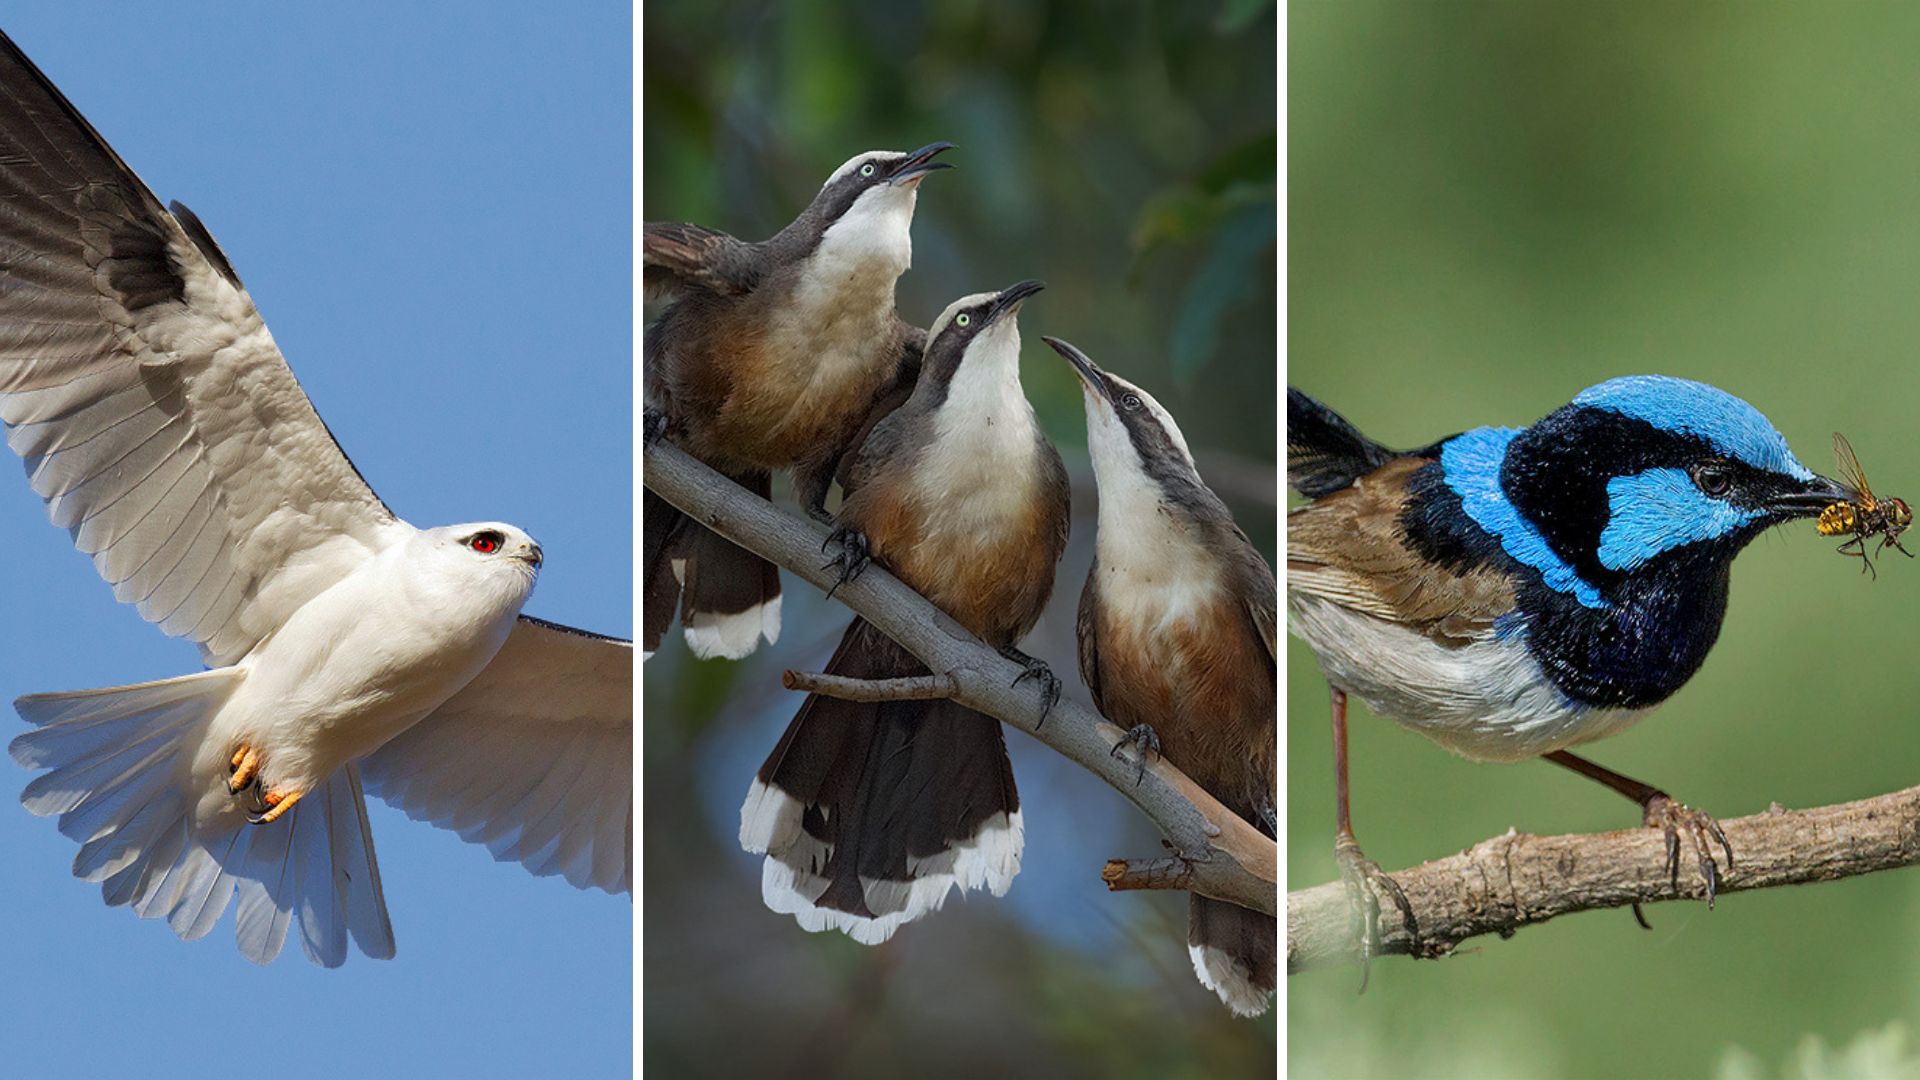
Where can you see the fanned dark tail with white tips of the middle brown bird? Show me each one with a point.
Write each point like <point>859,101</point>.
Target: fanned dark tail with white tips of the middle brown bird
<point>873,812</point>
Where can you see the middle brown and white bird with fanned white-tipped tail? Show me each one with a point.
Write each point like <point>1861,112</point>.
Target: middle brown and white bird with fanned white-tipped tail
<point>873,812</point>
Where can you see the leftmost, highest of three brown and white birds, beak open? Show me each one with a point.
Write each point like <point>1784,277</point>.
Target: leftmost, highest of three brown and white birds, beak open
<point>773,356</point>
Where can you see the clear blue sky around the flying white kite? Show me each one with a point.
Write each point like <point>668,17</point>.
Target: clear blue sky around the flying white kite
<point>431,205</point>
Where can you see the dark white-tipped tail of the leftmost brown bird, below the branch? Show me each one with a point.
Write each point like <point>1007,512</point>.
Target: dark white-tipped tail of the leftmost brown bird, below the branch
<point>729,599</point>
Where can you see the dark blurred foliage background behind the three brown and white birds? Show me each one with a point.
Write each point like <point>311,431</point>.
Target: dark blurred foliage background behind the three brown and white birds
<point>1126,157</point>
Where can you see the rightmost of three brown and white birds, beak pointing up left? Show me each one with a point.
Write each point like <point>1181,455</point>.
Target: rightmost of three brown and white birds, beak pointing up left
<point>1176,645</point>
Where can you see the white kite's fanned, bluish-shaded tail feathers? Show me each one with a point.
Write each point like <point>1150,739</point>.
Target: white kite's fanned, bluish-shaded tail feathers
<point>118,768</point>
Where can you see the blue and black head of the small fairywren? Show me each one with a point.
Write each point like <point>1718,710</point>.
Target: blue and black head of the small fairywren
<point>1604,485</point>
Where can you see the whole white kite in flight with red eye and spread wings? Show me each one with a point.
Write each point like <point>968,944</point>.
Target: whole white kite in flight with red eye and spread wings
<point>347,650</point>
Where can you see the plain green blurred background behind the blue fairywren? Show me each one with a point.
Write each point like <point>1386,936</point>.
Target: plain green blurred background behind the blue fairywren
<point>1493,207</point>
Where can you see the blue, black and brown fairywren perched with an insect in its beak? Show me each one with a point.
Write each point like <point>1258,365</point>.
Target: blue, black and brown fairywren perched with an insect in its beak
<point>1512,593</point>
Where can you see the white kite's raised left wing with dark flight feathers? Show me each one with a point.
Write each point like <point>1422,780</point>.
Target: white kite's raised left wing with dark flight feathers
<point>156,416</point>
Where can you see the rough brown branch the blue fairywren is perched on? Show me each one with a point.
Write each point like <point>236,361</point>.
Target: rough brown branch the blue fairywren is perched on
<point>1514,881</point>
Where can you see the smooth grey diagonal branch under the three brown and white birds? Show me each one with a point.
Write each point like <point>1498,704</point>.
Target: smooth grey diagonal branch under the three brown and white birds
<point>1230,860</point>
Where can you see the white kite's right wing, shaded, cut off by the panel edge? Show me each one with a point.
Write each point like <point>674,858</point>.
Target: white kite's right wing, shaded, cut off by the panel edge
<point>533,758</point>
